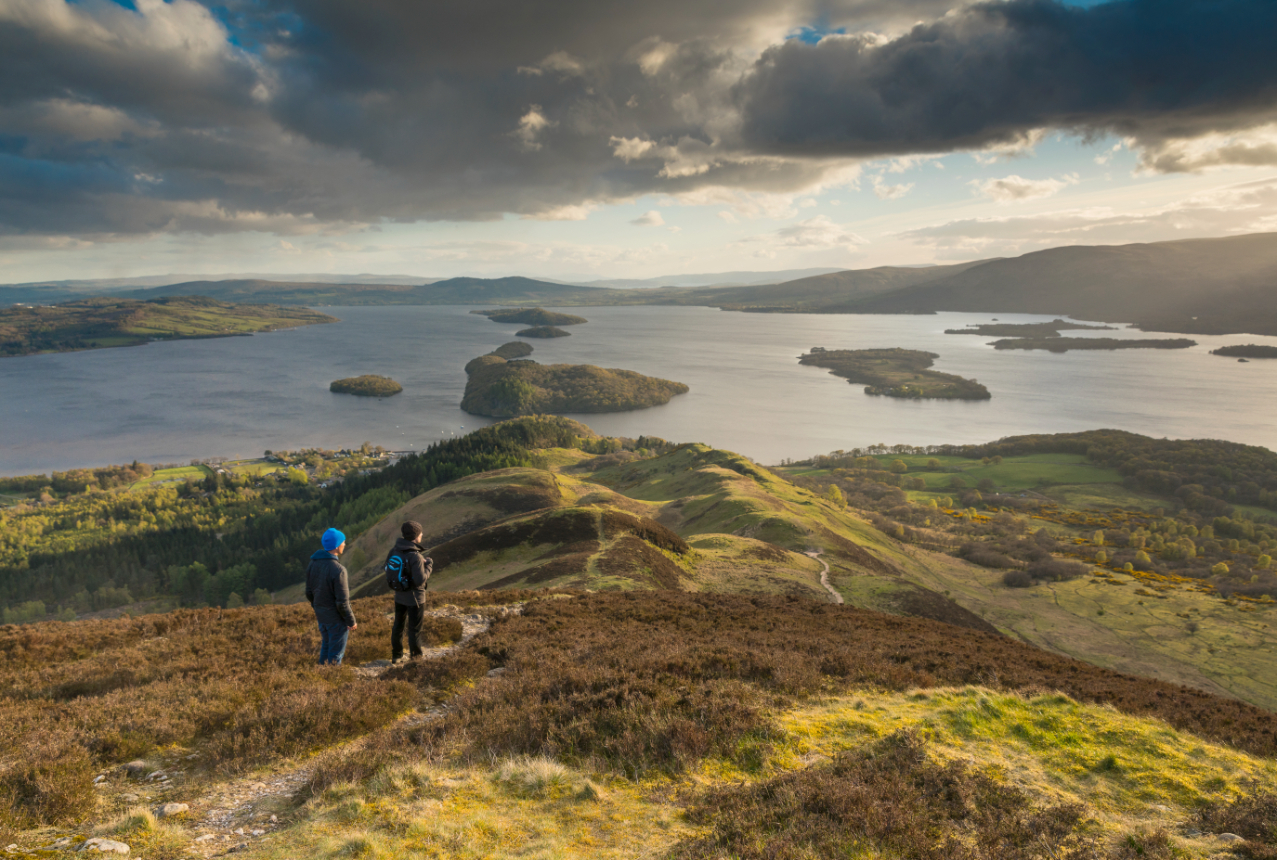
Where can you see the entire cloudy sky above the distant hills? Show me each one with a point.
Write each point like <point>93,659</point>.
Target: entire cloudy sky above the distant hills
<point>578,139</point>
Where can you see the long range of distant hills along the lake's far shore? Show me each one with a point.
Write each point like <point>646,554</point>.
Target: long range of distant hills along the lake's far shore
<point>1195,287</point>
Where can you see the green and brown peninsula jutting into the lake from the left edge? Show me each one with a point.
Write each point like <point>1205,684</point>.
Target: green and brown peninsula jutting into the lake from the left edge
<point>104,323</point>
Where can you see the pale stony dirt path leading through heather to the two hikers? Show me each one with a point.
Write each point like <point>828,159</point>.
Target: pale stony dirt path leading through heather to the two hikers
<point>232,816</point>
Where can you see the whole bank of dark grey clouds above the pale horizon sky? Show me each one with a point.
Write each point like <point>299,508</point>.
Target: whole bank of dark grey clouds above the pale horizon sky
<point>306,116</point>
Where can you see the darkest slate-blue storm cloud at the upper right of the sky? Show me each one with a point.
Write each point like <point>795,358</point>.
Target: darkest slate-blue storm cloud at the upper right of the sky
<point>1152,70</point>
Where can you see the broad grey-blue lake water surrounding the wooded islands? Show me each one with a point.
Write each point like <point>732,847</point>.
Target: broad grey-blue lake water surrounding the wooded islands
<point>239,397</point>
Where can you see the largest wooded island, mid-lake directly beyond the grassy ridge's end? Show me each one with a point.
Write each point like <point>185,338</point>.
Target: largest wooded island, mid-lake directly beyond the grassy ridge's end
<point>506,389</point>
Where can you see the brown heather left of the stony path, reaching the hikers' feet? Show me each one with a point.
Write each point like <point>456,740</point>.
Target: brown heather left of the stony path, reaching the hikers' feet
<point>239,684</point>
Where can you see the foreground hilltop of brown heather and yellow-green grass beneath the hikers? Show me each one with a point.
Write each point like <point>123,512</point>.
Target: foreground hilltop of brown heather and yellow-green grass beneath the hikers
<point>573,725</point>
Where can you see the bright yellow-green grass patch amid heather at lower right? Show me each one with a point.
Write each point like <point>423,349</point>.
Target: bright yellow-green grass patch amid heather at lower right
<point>1131,771</point>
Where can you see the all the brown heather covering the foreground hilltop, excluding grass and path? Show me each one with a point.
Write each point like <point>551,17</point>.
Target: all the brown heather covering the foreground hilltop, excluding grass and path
<point>637,684</point>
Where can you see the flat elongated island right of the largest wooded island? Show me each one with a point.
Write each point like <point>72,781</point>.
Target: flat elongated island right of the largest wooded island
<point>896,374</point>
